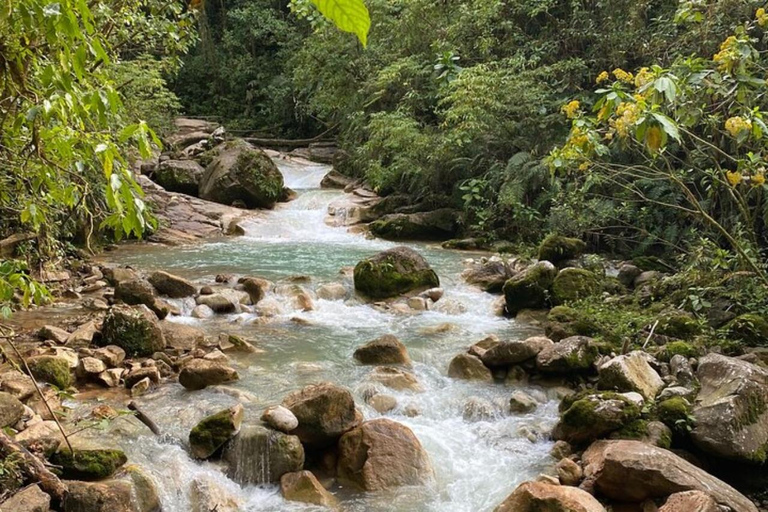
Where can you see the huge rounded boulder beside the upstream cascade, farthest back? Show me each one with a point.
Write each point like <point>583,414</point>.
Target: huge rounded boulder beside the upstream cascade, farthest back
<point>243,174</point>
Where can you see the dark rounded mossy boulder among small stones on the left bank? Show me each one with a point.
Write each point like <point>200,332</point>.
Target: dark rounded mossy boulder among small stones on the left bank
<point>135,329</point>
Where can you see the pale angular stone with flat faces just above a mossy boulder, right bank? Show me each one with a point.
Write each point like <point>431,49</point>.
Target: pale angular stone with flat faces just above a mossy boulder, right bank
<point>630,372</point>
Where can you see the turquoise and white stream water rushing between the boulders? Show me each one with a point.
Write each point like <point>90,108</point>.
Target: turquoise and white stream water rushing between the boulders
<point>477,461</point>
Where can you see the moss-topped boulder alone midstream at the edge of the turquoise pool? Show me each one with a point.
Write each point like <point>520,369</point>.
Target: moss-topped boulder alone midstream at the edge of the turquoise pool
<point>394,272</point>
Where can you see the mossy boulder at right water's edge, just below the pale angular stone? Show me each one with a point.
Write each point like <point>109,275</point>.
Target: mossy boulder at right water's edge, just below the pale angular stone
<point>586,418</point>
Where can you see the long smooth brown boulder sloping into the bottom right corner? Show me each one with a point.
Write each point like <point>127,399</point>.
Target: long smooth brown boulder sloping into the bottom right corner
<point>635,471</point>
